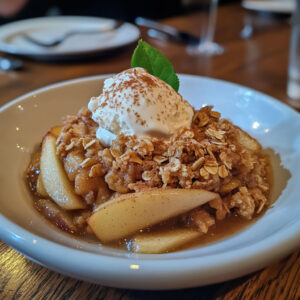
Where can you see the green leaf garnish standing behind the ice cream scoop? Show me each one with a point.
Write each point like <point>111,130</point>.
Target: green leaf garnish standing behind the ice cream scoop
<point>147,57</point>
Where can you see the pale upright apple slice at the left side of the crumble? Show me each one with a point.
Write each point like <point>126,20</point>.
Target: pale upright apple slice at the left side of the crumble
<point>55,179</point>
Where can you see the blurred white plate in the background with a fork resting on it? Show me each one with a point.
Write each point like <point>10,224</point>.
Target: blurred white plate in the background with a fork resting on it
<point>75,46</point>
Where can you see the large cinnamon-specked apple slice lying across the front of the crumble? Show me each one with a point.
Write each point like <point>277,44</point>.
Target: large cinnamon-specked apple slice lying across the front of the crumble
<point>128,213</point>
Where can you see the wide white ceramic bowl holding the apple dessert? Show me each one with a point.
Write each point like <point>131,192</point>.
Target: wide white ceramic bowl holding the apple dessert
<point>23,123</point>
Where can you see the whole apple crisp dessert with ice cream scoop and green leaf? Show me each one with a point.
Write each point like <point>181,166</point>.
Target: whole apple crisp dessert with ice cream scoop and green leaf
<point>140,166</point>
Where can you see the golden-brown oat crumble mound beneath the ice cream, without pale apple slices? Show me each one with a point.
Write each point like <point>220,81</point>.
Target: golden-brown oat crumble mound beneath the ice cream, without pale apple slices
<point>213,155</point>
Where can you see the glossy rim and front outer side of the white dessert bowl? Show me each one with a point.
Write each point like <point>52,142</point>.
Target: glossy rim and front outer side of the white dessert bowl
<point>255,256</point>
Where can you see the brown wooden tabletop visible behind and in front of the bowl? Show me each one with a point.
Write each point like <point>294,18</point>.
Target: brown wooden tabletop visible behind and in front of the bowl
<point>259,62</point>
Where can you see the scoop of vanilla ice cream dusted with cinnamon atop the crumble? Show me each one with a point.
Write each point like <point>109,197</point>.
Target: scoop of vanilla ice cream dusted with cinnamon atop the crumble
<point>135,102</point>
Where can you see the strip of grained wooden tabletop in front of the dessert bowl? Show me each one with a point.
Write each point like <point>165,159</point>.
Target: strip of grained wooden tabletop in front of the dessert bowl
<point>22,279</point>
